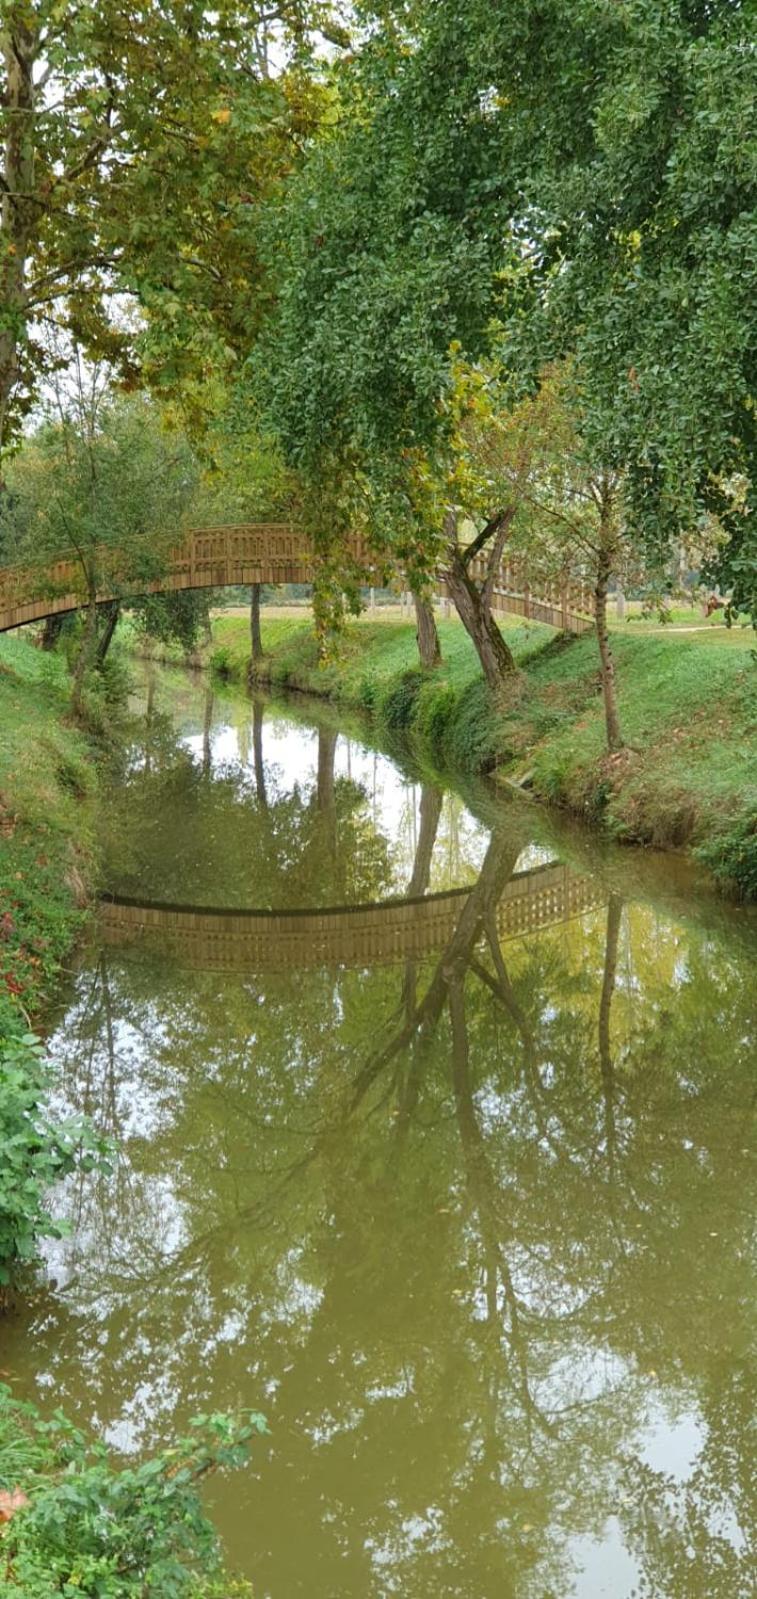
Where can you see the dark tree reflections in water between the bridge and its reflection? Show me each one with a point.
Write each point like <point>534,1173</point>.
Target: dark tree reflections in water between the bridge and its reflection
<point>234,834</point>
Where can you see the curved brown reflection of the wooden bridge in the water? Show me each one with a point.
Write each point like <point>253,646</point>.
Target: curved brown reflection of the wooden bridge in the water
<point>354,936</point>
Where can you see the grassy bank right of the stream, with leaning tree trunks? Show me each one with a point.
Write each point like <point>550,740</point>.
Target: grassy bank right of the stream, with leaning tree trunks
<point>689,711</point>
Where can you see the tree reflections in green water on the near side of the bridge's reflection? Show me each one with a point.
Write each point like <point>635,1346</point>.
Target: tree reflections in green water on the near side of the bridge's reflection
<point>459,1227</point>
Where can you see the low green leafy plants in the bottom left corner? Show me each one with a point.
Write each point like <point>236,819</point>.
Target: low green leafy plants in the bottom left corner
<point>92,1529</point>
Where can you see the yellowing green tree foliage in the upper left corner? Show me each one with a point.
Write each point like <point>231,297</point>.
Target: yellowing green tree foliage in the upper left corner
<point>108,197</point>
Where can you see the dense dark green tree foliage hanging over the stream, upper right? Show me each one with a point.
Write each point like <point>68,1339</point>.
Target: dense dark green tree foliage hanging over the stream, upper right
<point>547,181</point>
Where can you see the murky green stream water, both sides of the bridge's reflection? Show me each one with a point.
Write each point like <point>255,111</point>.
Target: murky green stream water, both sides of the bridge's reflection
<point>471,1222</point>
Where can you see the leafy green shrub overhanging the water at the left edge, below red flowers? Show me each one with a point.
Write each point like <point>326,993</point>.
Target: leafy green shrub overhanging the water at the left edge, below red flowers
<point>38,1154</point>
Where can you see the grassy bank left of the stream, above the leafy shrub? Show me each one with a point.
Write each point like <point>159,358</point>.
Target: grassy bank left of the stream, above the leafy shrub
<point>47,829</point>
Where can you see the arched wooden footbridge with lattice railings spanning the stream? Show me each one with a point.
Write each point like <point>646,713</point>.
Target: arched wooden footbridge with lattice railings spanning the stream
<point>254,554</point>
